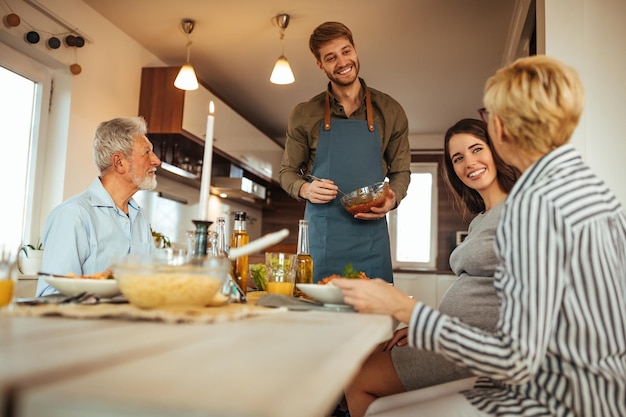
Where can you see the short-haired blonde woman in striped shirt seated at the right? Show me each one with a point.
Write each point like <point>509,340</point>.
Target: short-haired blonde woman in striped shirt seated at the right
<point>559,347</point>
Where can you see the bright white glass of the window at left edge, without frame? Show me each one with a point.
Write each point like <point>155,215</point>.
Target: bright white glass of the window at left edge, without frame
<point>16,108</point>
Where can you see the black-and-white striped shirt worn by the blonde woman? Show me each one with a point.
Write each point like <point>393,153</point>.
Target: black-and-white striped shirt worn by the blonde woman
<point>560,344</point>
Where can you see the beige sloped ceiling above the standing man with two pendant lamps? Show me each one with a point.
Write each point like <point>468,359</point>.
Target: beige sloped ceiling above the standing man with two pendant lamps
<point>433,56</point>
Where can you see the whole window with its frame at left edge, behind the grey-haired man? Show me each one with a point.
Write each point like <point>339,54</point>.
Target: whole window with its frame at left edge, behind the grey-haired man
<point>25,84</point>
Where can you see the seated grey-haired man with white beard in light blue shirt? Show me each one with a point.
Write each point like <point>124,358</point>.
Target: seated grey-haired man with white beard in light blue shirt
<point>82,234</point>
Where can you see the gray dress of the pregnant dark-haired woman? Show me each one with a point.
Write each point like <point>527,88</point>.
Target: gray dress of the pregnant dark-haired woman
<point>472,298</point>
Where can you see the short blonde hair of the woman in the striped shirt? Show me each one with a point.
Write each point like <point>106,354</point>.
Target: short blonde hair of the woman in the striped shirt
<point>539,100</point>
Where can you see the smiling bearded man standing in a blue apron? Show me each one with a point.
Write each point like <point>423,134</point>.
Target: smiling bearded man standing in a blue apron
<point>350,136</point>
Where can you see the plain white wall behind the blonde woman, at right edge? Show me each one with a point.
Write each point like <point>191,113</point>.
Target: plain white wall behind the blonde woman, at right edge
<point>589,35</point>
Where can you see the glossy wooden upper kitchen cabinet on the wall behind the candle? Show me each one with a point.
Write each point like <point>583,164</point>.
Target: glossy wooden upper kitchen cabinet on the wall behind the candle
<point>177,116</point>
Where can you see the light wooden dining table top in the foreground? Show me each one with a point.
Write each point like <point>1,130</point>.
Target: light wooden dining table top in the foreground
<point>285,364</point>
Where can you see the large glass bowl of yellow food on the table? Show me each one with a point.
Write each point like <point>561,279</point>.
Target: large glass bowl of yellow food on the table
<point>171,279</point>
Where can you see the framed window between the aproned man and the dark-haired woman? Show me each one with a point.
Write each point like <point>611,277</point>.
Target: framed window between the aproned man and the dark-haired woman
<point>413,225</point>
